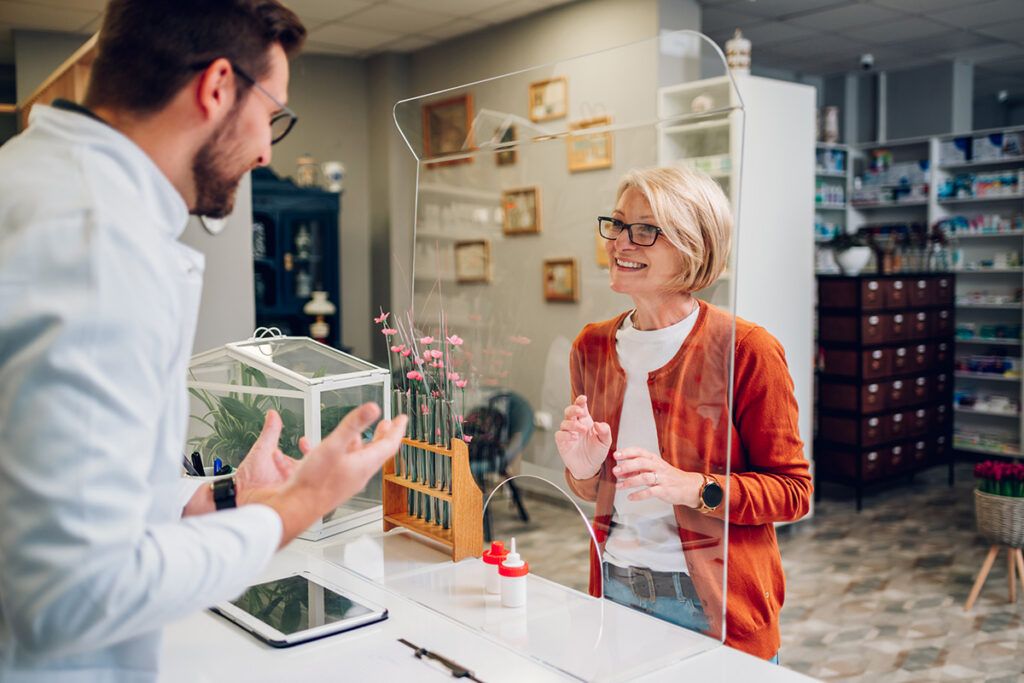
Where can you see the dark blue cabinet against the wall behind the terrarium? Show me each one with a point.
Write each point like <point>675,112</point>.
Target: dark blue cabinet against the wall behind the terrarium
<point>295,253</point>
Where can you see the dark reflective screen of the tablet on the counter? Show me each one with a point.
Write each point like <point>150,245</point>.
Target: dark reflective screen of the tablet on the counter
<point>295,604</point>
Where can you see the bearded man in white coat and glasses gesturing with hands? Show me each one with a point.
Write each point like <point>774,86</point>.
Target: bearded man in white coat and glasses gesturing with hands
<point>100,546</point>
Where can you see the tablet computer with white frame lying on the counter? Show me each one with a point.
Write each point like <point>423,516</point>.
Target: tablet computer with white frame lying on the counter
<point>297,609</point>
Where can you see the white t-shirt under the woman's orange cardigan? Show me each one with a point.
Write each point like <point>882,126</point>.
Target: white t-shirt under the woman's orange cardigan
<point>645,533</point>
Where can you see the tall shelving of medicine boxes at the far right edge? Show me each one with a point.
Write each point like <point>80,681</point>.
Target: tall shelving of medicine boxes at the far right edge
<point>978,153</point>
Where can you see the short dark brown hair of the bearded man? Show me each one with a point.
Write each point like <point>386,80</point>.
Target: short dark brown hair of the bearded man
<point>150,50</point>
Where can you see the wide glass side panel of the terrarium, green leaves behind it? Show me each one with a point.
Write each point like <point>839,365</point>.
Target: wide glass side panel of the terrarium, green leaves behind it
<point>227,424</point>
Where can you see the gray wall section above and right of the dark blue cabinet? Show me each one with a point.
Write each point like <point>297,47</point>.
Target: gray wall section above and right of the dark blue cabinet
<point>330,96</point>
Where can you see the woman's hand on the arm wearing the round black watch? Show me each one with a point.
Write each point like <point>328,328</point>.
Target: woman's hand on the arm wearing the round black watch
<point>636,468</point>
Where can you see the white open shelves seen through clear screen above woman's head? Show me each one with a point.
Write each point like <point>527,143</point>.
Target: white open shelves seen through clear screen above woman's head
<point>706,141</point>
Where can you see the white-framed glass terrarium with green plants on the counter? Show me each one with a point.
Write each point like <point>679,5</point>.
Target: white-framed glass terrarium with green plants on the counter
<point>312,387</point>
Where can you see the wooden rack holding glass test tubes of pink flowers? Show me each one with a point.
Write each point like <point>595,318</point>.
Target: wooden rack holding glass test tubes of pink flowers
<point>436,496</point>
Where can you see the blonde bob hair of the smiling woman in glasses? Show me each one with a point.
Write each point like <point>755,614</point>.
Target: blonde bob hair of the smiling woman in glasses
<point>695,217</point>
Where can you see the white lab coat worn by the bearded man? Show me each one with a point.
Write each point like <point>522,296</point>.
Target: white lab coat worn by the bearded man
<point>99,304</point>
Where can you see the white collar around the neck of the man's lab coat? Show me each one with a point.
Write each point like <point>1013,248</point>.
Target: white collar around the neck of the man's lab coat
<point>155,188</point>
